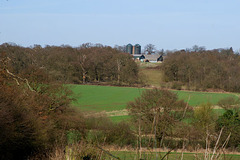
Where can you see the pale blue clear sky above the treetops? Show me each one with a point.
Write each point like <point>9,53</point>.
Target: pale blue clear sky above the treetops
<point>167,24</point>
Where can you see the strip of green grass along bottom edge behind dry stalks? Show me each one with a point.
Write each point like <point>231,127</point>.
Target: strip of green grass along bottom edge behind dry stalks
<point>125,155</point>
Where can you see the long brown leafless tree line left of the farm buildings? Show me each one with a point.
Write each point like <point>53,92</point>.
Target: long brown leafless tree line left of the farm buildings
<point>85,64</point>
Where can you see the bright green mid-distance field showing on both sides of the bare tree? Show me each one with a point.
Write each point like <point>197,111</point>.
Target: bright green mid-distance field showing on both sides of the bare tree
<point>107,98</point>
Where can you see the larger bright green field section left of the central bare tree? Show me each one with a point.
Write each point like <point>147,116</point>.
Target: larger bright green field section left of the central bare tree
<point>103,98</point>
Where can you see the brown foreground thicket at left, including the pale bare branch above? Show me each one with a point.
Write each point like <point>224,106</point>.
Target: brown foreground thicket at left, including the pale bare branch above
<point>32,119</point>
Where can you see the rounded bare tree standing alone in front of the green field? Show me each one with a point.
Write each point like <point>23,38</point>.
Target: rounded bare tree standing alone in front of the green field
<point>155,108</point>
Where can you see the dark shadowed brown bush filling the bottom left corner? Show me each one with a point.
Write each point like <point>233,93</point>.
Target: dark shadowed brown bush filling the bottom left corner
<point>22,132</point>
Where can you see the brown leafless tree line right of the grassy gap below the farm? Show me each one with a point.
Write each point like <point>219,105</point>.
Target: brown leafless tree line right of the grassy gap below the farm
<point>203,69</point>
